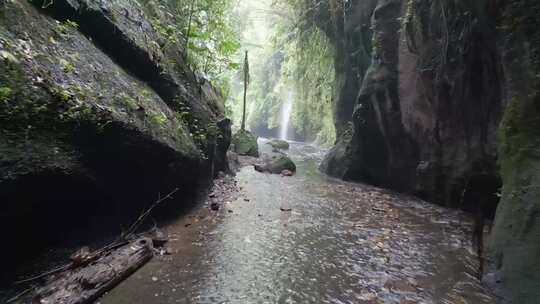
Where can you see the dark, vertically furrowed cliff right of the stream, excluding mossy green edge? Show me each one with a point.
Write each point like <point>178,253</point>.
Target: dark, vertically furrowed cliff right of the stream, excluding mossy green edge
<point>427,112</point>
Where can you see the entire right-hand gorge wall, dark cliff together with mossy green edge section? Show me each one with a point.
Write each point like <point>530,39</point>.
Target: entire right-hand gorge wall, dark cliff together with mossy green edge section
<point>427,117</point>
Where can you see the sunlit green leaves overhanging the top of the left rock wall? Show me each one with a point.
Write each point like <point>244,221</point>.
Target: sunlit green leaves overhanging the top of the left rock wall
<point>204,27</point>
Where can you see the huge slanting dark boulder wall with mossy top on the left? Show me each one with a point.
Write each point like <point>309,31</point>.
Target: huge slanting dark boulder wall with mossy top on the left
<point>94,112</point>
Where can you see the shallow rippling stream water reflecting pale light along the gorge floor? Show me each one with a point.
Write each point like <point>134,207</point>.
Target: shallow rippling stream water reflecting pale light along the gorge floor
<point>342,243</point>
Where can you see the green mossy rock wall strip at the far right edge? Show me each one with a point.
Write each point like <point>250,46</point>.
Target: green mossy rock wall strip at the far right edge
<point>515,240</point>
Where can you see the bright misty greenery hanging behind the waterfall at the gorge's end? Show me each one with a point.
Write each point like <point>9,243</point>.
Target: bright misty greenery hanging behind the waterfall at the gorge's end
<point>296,62</point>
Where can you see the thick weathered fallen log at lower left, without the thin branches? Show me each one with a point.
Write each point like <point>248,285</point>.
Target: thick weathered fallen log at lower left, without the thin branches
<point>83,285</point>
